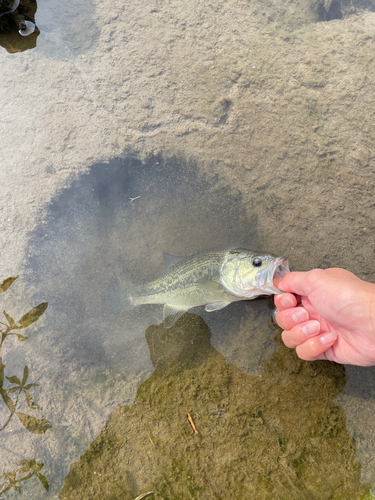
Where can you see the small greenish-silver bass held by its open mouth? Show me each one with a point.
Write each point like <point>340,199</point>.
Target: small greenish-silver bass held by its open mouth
<point>213,278</point>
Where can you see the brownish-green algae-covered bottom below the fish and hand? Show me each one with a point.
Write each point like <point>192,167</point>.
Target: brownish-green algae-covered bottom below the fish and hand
<point>248,443</point>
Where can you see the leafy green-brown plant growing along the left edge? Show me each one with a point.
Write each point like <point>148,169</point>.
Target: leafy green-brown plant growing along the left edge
<point>27,468</point>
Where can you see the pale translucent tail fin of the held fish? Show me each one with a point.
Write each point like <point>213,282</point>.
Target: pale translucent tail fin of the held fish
<point>117,297</point>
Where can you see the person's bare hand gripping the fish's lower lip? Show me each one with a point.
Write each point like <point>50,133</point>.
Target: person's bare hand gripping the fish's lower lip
<point>328,314</point>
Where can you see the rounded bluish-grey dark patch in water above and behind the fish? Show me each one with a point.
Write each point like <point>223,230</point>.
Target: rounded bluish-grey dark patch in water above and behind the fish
<point>119,218</point>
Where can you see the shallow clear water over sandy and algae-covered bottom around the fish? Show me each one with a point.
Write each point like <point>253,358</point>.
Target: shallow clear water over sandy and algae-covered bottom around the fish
<point>142,128</point>
